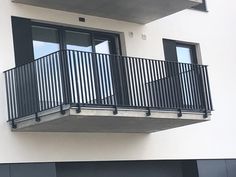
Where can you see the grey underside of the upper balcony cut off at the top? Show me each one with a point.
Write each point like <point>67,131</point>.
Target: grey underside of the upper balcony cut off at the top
<point>137,11</point>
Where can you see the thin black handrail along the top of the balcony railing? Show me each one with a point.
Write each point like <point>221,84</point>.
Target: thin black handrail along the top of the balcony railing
<point>95,53</point>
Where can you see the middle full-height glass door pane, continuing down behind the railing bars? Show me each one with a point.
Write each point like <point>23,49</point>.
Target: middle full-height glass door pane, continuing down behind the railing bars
<point>80,67</point>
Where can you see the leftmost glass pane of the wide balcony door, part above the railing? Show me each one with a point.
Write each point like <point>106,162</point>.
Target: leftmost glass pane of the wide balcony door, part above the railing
<point>45,41</point>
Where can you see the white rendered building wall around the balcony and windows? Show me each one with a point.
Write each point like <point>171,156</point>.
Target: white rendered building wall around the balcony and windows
<point>215,31</point>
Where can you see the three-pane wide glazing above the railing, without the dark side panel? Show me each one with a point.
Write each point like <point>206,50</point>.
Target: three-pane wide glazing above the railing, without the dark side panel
<point>49,38</point>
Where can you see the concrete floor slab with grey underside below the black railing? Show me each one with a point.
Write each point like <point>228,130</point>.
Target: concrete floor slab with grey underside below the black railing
<point>104,120</point>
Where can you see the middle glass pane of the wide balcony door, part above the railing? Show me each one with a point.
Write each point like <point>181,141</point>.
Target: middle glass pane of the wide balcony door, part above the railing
<point>78,41</point>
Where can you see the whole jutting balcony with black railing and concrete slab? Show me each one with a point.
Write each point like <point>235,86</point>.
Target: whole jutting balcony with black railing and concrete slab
<point>74,91</point>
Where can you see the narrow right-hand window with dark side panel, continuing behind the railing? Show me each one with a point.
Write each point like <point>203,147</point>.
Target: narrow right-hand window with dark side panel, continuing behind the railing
<point>188,78</point>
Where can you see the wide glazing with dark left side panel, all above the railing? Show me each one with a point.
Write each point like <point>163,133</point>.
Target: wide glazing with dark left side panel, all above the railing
<point>38,40</point>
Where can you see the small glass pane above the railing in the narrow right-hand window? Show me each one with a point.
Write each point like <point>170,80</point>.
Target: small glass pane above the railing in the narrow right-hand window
<point>184,54</point>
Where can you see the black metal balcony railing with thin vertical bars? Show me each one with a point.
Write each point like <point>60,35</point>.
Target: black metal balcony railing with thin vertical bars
<point>82,79</point>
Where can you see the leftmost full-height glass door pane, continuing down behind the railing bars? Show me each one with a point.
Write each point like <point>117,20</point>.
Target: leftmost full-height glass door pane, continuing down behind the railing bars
<point>46,42</point>
